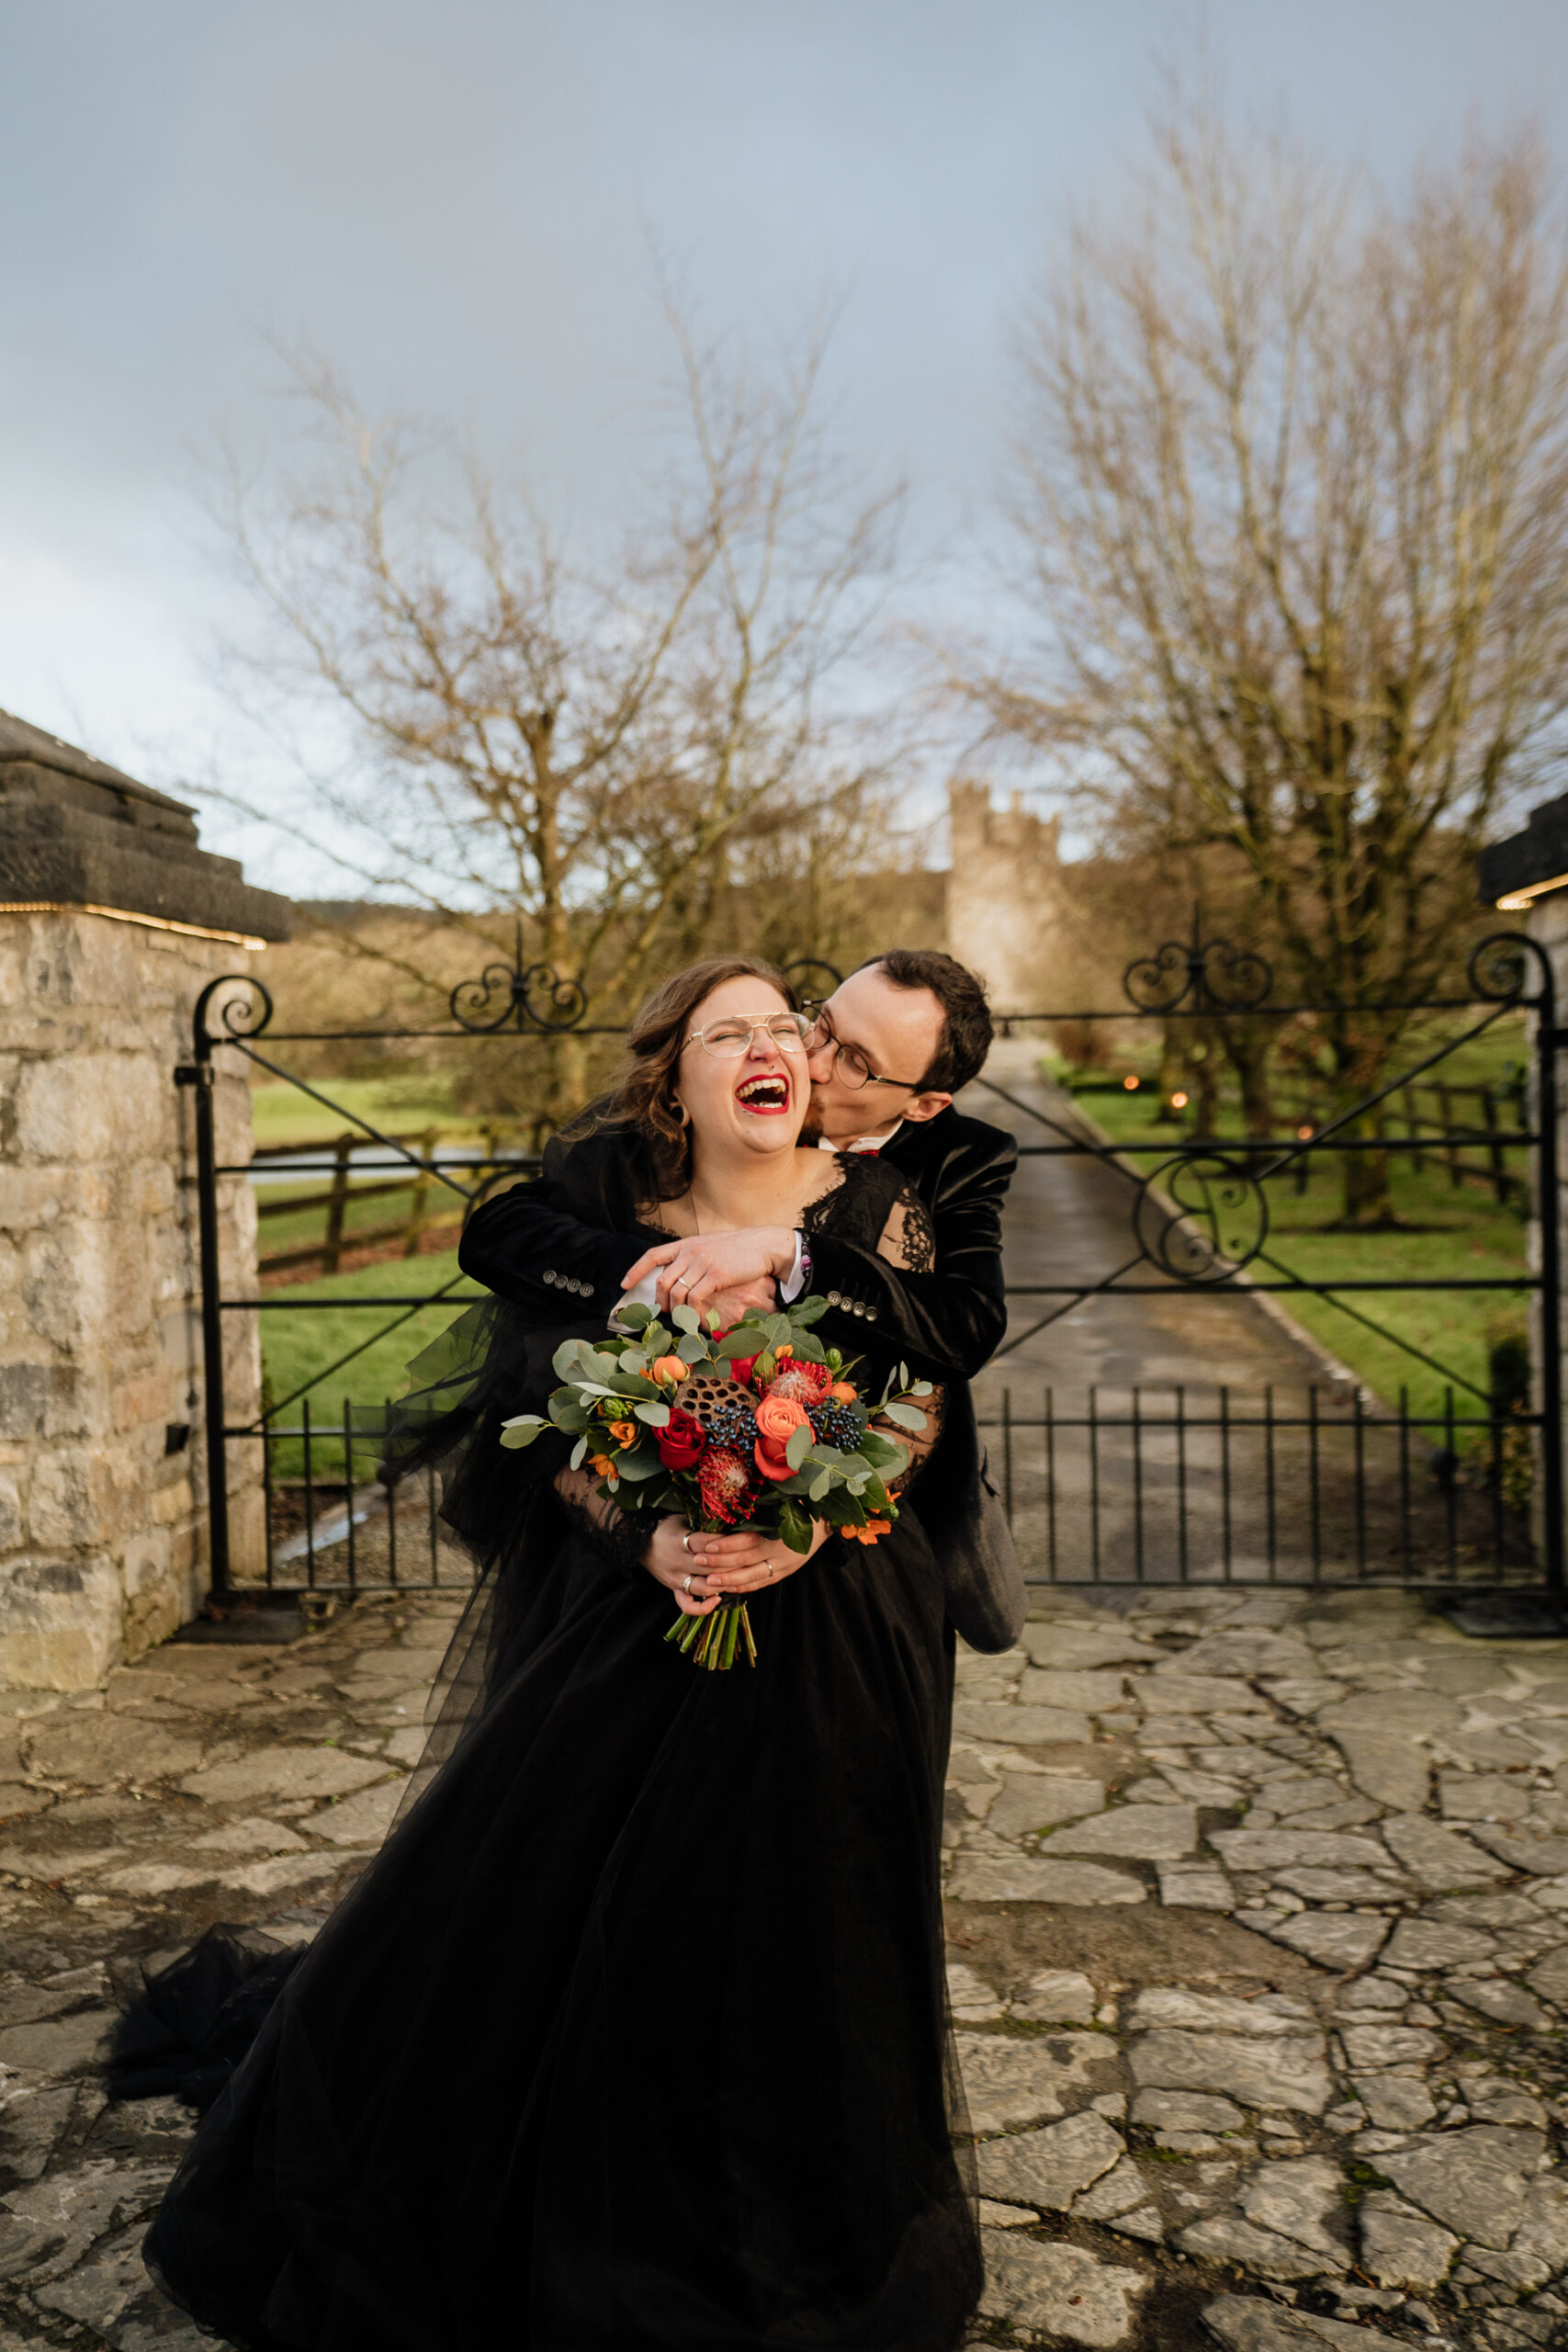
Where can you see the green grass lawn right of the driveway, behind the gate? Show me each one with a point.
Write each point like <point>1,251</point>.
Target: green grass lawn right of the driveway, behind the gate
<point>1454,1234</point>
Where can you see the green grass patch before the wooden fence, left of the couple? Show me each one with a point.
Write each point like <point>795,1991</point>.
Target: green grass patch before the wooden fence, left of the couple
<point>302,1344</point>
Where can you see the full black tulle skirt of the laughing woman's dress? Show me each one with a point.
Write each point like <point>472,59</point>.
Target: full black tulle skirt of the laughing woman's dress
<point>634,2036</point>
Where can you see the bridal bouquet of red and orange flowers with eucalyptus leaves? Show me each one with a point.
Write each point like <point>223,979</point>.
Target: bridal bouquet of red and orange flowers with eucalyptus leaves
<point>756,1429</point>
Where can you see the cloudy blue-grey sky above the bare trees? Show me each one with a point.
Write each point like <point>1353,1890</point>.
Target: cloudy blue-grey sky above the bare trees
<point>455,199</point>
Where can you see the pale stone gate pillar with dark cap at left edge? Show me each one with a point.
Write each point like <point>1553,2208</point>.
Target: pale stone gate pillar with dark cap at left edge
<point>112,923</point>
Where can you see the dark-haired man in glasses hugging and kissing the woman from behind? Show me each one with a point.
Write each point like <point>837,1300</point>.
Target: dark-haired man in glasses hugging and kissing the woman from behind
<point>890,1050</point>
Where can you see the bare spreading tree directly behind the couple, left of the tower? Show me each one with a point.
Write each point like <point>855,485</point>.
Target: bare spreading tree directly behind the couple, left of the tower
<point>579,747</point>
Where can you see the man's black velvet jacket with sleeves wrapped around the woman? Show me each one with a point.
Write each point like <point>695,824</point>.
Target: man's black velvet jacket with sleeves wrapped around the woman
<point>544,1243</point>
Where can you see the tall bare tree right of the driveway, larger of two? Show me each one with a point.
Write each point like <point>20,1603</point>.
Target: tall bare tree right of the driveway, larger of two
<point>1294,514</point>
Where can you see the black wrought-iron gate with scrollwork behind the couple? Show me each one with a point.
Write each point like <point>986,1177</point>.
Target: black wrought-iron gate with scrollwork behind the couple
<point>1155,1488</point>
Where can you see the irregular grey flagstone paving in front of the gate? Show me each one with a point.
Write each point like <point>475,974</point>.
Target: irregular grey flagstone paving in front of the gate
<point>1259,1958</point>
